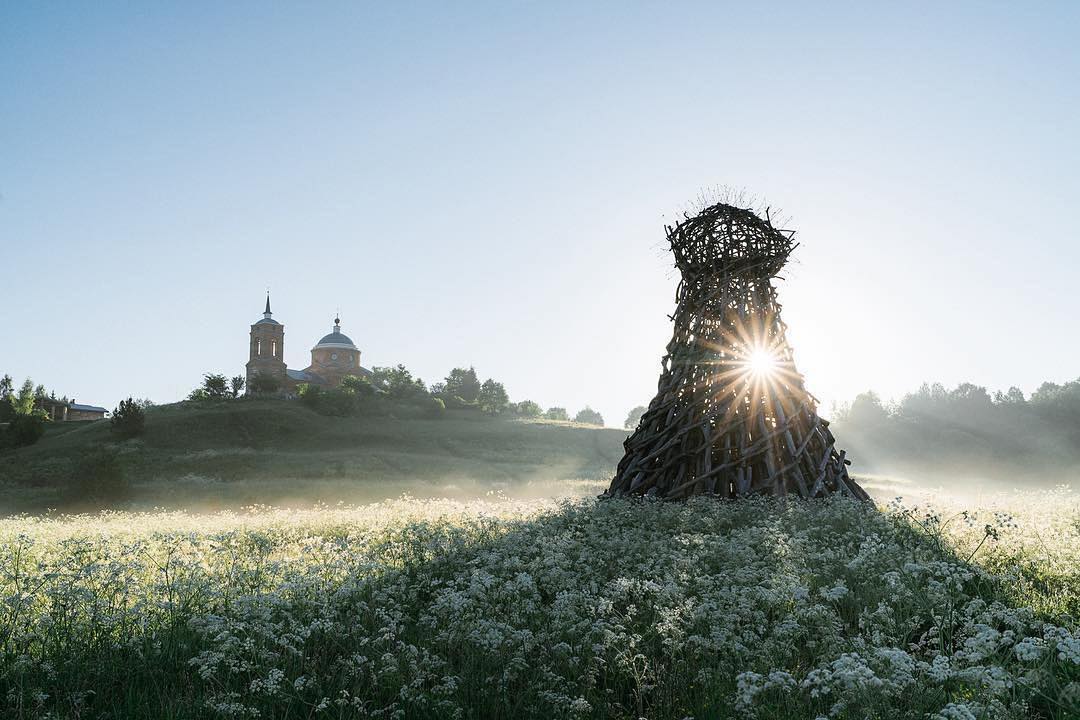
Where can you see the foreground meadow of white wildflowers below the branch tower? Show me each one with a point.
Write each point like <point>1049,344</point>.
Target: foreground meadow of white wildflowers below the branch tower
<point>572,609</point>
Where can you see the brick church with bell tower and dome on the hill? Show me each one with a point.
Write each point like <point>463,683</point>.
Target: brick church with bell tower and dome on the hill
<point>333,358</point>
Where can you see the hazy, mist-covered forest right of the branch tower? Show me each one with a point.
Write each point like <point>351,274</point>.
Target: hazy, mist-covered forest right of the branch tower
<point>967,431</point>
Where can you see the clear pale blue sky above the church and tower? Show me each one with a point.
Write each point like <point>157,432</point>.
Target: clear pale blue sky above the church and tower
<point>488,185</point>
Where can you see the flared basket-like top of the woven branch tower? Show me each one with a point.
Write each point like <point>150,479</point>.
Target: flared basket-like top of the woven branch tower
<point>731,241</point>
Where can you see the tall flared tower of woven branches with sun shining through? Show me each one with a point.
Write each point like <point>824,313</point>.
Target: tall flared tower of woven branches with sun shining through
<point>732,416</point>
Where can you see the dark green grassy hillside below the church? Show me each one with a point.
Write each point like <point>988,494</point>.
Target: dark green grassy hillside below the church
<point>279,452</point>
